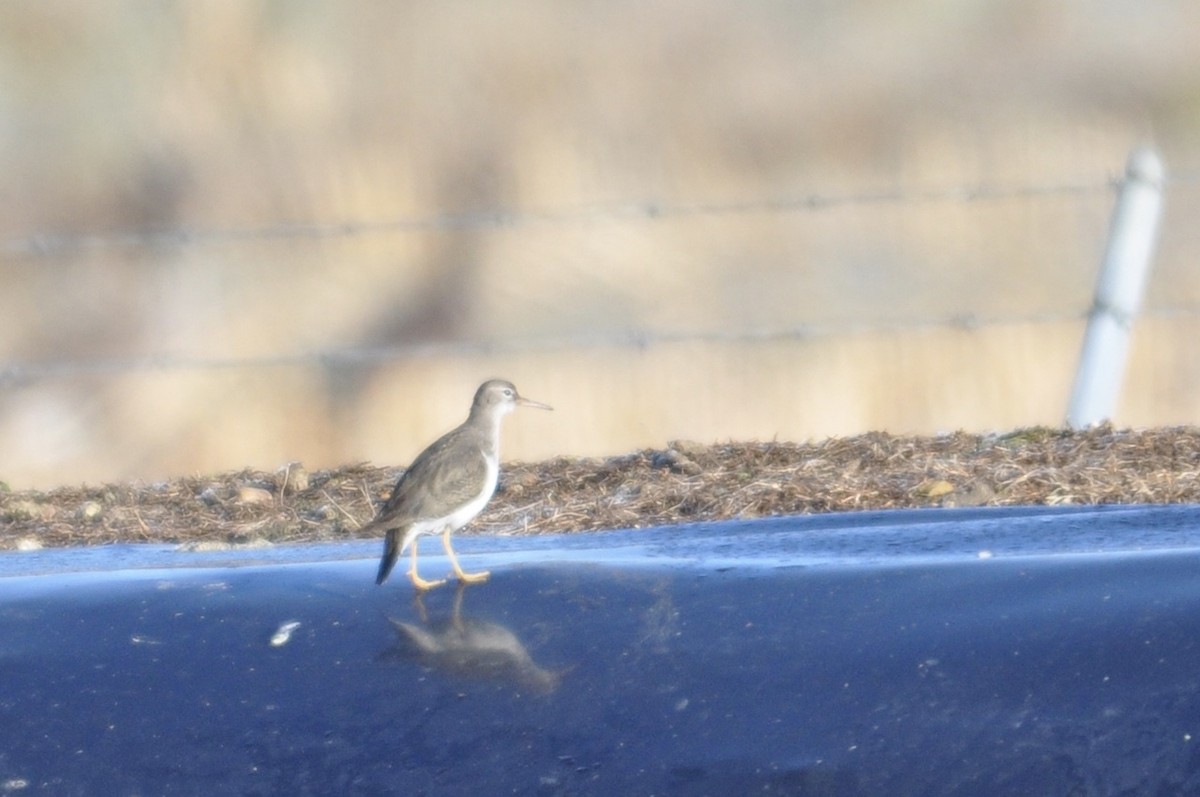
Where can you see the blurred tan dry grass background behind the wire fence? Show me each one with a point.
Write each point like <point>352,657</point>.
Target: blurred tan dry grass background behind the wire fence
<point>125,124</point>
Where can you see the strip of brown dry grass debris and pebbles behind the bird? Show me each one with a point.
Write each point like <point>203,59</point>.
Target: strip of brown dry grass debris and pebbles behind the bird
<point>683,483</point>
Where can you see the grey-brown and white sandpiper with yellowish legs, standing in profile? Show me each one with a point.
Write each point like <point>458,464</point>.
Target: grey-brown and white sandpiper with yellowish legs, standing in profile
<point>448,484</point>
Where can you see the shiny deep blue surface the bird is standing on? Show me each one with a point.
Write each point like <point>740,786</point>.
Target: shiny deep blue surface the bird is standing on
<point>949,652</point>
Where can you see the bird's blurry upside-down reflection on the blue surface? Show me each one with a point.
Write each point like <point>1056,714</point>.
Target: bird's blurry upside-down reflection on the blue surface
<point>470,649</point>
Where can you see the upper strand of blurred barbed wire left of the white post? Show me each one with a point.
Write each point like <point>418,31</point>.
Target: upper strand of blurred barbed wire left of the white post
<point>62,244</point>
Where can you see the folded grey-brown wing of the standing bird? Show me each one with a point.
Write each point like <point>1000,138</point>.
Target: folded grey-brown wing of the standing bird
<point>442,480</point>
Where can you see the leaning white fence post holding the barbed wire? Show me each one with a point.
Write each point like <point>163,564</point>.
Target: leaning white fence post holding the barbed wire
<point>1131,248</point>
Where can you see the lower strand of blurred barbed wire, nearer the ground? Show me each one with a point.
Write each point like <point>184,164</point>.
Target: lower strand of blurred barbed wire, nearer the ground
<point>15,375</point>
